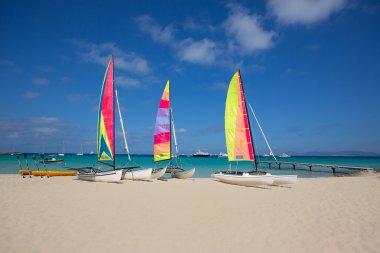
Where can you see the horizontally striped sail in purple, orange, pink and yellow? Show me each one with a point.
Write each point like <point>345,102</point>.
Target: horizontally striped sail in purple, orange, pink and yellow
<point>162,129</point>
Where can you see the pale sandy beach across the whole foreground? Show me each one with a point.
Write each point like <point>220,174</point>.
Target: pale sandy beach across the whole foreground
<point>62,214</point>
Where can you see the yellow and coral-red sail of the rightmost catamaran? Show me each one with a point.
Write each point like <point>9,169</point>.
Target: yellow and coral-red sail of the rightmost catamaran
<point>237,129</point>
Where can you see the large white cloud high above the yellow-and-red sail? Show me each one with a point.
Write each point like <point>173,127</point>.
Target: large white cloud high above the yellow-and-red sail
<point>245,32</point>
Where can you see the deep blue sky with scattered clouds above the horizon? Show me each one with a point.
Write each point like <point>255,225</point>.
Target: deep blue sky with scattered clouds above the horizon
<point>311,71</point>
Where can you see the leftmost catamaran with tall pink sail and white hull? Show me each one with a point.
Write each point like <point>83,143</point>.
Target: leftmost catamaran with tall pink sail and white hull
<point>105,134</point>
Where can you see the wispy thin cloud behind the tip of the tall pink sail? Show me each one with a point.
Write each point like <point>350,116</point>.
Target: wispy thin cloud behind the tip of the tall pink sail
<point>100,54</point>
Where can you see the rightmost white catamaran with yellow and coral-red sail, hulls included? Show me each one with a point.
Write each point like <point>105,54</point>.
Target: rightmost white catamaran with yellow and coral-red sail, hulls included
<point>240,146</point>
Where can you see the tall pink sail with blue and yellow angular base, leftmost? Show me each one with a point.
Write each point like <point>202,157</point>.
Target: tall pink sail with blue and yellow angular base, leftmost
<point>106,117</point>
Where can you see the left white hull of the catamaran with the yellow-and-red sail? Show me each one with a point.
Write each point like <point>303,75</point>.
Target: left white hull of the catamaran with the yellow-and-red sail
<point>245,179</point>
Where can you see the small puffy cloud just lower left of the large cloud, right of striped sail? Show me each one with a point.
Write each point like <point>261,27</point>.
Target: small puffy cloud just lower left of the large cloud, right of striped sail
<point>203,52</point>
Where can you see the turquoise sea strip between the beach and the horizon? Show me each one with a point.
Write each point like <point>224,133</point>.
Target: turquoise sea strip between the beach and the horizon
<point>204,165</point>
